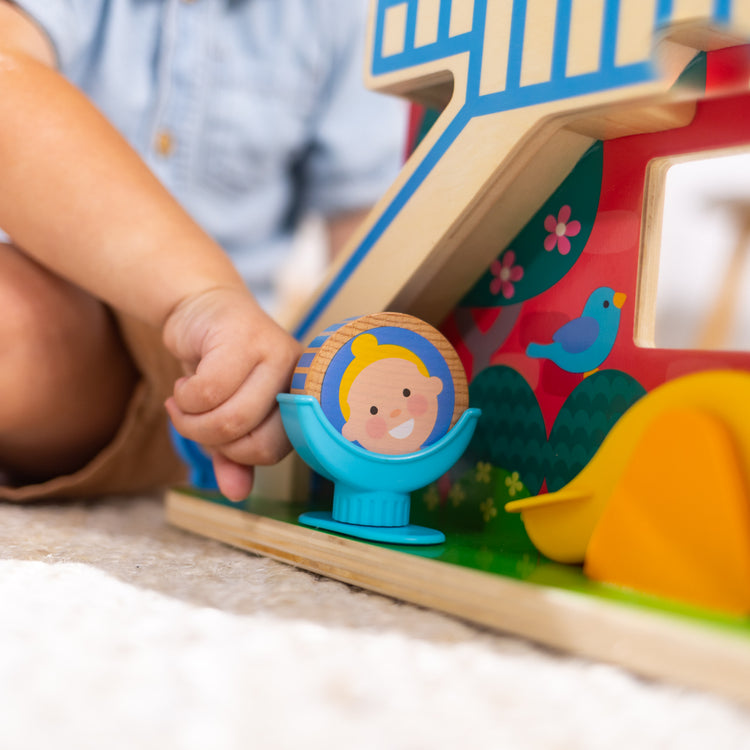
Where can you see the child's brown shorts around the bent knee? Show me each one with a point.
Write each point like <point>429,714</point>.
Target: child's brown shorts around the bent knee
<point>140,456</point>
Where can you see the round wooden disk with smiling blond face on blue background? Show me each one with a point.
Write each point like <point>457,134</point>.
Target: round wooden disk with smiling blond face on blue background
<point>388,381</point>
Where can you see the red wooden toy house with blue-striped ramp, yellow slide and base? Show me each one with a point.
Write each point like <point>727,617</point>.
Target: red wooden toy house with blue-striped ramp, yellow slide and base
<point>538,193</point>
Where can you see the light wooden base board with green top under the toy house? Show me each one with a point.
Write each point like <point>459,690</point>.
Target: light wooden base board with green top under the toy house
<point>514,592</point>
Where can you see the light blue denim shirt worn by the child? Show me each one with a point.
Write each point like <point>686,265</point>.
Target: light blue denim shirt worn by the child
<point>249,111</point>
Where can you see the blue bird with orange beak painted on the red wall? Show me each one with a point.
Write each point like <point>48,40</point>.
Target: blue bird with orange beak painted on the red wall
<point>583,343</point>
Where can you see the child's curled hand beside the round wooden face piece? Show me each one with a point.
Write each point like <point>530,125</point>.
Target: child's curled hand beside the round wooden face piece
<point>236,360</point>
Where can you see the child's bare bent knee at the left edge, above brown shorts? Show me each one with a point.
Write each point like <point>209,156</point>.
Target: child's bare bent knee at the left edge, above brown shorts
<point>65,376</point>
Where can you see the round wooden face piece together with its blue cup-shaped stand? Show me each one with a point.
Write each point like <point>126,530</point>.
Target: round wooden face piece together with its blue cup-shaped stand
<point>379,407</point>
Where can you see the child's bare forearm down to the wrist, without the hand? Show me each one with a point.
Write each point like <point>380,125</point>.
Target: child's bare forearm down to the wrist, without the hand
<point>78,198</point>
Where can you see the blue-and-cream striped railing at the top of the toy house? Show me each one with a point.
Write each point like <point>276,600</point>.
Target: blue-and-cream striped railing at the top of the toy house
<point>525,52</point>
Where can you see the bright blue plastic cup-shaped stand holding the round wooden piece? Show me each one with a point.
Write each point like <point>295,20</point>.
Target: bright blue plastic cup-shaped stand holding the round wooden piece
<point>371,491</point>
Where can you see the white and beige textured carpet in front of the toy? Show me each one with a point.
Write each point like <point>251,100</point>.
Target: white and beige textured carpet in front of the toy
<point>117,631</point>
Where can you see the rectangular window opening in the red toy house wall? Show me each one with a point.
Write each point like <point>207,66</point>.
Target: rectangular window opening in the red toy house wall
<point>694,277</point>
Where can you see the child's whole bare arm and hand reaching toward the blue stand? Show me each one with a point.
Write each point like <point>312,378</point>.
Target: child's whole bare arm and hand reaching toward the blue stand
<point>79,200</point>
